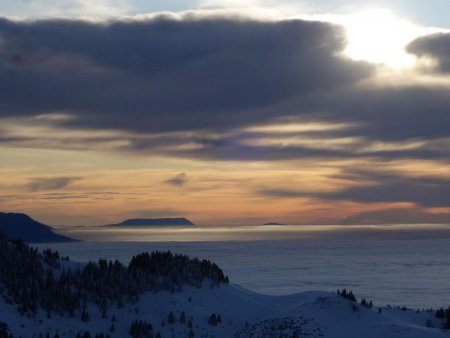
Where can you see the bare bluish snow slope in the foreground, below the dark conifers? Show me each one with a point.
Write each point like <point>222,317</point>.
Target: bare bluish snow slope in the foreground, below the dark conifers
<point>243,314</point>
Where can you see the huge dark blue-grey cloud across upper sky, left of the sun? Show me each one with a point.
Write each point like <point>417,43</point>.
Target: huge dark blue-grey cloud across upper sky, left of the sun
<point>165,74</point>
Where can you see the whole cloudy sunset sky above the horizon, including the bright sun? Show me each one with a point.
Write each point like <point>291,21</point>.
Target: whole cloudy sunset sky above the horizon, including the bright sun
<point>298,112</point>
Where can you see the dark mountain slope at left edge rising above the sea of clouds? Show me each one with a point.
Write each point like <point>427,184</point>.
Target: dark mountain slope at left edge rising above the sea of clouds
<point>15,225</point>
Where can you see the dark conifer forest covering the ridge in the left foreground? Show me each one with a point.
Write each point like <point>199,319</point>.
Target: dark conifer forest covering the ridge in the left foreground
<point>34,280</point>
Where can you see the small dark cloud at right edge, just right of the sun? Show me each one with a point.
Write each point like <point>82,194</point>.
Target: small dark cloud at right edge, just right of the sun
<point>436,46</point>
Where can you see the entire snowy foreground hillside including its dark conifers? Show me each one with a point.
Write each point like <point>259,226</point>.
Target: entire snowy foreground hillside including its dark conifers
<point>165,295</point>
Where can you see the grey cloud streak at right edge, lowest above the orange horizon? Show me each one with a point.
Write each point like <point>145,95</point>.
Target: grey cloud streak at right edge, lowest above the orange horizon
<point>374,187</point>
